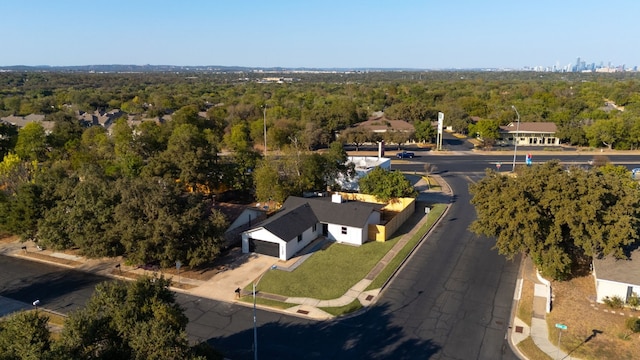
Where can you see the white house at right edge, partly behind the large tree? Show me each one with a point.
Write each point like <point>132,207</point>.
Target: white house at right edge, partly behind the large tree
<point>616,277</point>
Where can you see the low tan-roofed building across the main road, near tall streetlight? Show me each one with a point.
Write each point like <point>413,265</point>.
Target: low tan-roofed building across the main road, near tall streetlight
<point>530,134</point>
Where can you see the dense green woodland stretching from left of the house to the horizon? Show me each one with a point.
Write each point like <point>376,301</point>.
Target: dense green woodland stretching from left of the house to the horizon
<point>144,191</point>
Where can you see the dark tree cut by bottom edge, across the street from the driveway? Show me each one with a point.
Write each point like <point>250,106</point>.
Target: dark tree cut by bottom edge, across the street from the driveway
<point>128,320</point>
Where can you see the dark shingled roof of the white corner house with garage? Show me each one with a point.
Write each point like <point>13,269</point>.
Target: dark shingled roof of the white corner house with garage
<point>298,214</point>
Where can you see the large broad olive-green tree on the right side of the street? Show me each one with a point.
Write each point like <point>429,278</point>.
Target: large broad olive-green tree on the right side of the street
<point>559,218</point>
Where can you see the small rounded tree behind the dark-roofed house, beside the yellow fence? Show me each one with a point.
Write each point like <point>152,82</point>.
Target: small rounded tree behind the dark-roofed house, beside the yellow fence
<point>386,185</point>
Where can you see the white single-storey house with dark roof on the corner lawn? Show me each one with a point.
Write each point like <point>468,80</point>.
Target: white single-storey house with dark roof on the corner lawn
<point>302,220</point>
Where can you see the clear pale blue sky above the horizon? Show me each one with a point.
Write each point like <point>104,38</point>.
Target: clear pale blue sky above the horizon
<point>423,34</point>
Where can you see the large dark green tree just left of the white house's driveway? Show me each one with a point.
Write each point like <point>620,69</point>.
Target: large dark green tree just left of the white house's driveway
<point>157,222</point>
